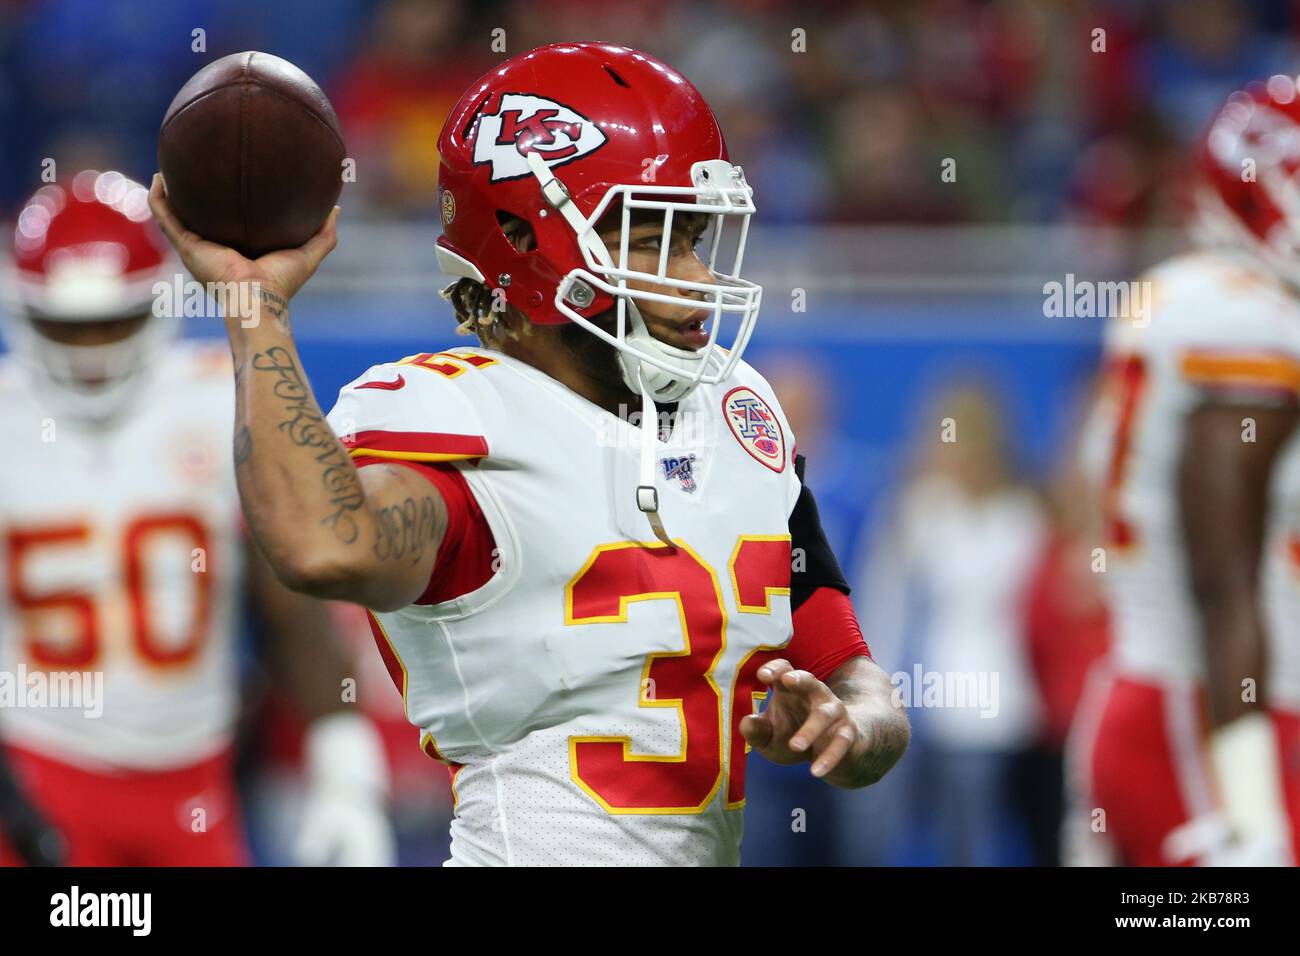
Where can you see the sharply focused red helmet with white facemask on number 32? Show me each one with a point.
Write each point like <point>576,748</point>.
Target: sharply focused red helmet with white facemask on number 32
<point>562,135</point>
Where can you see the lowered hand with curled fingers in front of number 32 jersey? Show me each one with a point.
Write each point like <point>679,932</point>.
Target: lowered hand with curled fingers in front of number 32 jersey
<point>804,721</point>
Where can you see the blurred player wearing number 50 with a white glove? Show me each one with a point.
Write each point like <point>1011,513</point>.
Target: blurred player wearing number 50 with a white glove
<point>125,560</point>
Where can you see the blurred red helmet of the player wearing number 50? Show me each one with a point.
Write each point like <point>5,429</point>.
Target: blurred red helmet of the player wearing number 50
<point>88,254</point>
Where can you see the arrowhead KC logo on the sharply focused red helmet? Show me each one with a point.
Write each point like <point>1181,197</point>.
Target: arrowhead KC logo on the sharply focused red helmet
<point>523,124</point>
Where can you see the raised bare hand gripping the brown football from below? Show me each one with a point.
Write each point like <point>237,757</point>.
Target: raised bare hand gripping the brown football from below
<point>283,272</point>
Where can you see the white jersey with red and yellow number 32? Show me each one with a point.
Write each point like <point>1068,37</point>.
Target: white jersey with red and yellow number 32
<point>588,695</point>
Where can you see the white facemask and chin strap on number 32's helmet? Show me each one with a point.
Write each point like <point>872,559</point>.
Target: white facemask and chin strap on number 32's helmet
<point>669,374</point>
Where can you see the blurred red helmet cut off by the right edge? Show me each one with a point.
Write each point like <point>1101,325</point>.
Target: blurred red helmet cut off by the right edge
<point>1249,163</point>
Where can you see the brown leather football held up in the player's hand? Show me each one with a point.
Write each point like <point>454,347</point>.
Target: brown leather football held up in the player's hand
<point>252,154</point>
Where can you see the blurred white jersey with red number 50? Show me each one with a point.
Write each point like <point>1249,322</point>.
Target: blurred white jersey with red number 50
<point>122,560</point>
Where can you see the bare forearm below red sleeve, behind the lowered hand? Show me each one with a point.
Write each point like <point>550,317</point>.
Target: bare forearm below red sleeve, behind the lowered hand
<point>882,723</point>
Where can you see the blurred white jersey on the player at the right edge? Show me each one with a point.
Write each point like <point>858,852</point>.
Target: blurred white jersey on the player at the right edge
<point>1216,326</point>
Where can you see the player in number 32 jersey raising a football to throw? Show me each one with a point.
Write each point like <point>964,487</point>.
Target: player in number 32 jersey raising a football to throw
<point>586,544</point>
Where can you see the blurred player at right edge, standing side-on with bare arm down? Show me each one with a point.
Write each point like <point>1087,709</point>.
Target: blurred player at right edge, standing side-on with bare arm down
<point>1193,747</point>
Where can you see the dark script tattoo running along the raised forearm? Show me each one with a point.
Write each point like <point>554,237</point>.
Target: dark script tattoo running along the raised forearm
<point>306,427</point>
